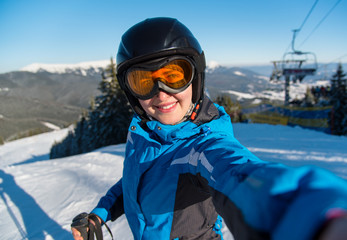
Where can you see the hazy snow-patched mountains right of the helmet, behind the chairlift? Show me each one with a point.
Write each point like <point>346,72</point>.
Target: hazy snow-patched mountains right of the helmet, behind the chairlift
<point>251,84</point>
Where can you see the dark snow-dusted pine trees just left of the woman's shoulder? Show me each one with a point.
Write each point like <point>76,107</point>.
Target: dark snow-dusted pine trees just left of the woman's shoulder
<point>105,124</point>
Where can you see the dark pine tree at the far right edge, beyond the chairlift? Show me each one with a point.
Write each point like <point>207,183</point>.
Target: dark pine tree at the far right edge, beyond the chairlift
<point>338,100</point>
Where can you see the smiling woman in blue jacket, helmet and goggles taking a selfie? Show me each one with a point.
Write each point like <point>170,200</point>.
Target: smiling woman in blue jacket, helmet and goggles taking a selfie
<point>183,168</point>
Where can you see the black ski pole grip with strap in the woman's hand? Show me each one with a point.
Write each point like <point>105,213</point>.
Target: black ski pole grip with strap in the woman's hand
<point>88,229</point>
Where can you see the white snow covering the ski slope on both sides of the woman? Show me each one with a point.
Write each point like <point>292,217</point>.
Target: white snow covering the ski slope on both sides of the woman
<point>39,196</point>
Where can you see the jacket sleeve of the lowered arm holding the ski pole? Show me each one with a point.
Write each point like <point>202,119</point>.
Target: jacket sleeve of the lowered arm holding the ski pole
<point>110,206</point>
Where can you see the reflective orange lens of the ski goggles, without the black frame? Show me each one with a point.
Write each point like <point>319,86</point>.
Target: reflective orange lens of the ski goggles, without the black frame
<point>176,75</point>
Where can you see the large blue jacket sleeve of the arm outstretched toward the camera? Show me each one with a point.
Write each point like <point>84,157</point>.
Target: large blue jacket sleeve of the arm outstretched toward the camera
<point>269,199</point>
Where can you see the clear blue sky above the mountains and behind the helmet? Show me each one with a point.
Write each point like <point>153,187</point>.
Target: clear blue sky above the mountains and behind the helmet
<point>231,32</point>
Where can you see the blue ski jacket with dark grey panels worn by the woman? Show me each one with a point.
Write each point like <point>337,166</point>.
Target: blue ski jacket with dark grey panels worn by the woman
<point>178,179</point>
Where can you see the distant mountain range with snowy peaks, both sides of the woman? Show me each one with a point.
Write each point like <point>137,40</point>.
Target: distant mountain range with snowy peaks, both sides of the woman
<point>40,96</point>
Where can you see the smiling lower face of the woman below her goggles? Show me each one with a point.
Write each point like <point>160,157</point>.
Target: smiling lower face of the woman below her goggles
<point>168,108</point>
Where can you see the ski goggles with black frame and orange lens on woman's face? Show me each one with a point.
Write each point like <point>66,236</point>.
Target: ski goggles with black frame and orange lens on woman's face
<point>172,75</point>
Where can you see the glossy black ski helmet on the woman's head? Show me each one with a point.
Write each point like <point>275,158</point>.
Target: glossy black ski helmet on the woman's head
<point>156,38</point>
